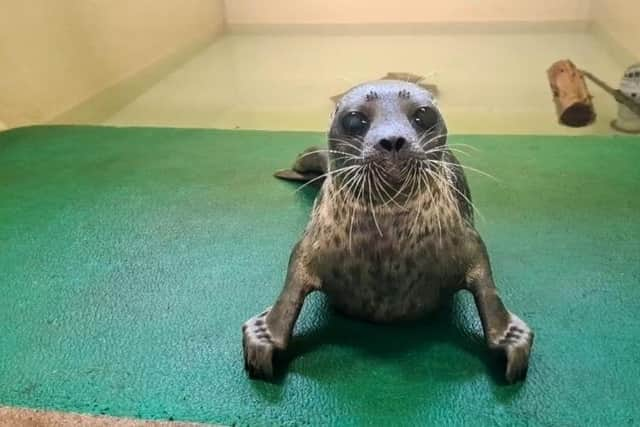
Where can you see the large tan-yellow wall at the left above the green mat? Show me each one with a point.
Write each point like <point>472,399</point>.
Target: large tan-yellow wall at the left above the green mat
<point>55,54</point>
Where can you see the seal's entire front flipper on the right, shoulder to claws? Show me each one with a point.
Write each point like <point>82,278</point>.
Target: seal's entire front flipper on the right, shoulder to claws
<point>504,332</point>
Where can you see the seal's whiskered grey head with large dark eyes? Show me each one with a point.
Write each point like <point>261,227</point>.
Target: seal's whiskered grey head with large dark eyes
<point>382,132</point>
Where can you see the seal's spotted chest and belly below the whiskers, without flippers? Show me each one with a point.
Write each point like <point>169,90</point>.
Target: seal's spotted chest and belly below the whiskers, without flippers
<point>388,268</point>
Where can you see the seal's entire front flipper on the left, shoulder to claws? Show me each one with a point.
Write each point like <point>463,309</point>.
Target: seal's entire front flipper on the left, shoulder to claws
<point>271,330</point>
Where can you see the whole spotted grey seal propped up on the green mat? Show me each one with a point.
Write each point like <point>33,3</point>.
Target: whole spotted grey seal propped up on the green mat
<point>391,235</point>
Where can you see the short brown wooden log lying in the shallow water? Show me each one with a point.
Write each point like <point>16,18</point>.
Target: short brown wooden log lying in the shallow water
<point>570,94</point>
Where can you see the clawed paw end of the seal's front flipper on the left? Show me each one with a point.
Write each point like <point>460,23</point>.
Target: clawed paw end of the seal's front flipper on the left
<point>258,347</point>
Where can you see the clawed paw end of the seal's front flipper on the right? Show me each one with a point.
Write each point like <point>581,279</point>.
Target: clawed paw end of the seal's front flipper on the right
<point>515,343</point>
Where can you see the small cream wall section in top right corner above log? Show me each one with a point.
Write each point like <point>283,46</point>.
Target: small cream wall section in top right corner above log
<point>620,20</point>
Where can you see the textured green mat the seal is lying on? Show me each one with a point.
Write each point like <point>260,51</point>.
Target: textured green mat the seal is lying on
<point>129,259</point>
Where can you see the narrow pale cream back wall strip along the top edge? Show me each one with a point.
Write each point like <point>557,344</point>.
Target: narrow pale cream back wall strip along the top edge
<point>269,12</point>
